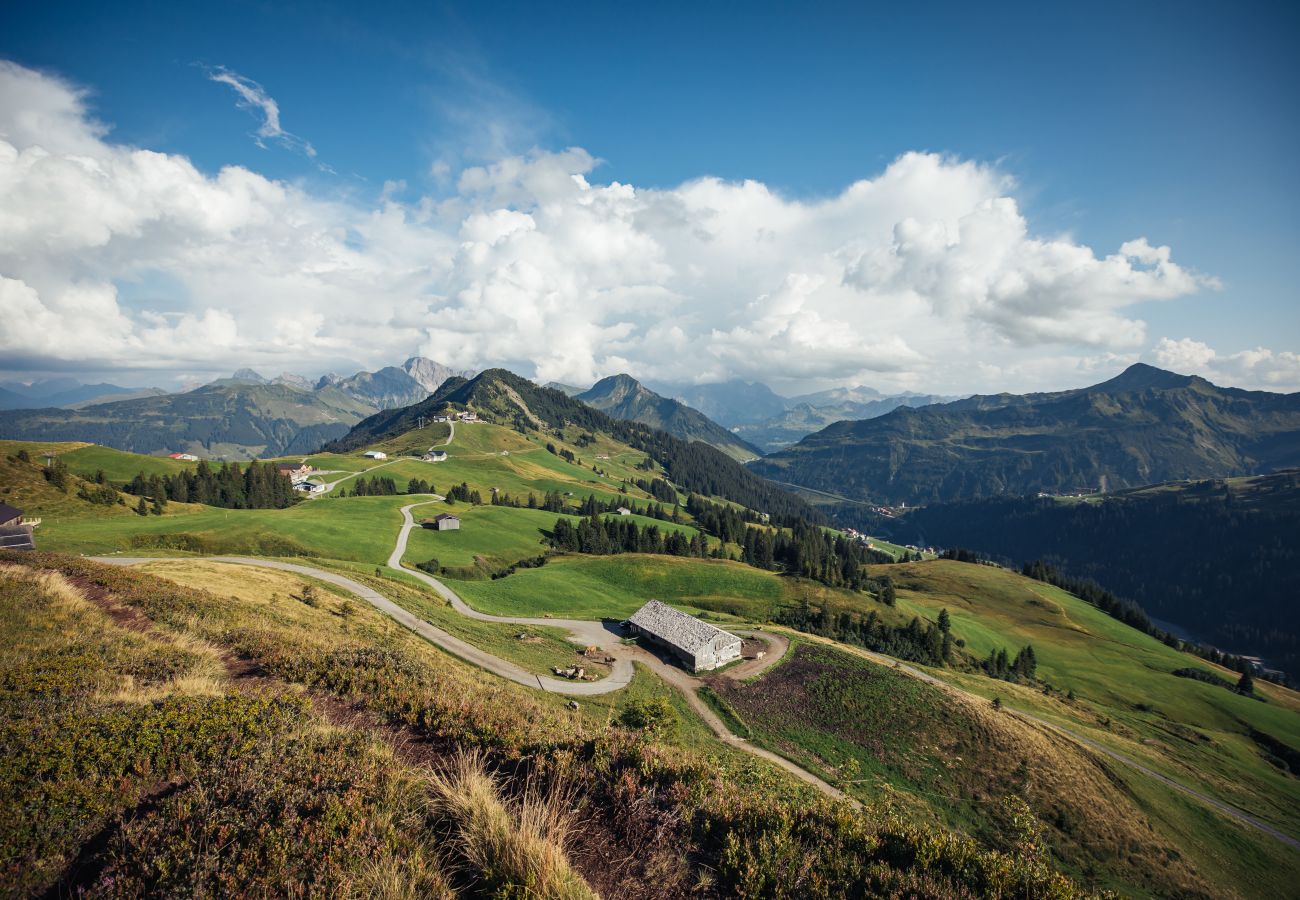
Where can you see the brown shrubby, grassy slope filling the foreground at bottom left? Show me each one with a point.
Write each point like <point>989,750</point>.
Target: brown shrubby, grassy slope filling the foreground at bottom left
<point>162,741</point>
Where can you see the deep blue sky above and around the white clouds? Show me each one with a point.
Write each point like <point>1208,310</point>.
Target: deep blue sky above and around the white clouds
<point>1173,123</point>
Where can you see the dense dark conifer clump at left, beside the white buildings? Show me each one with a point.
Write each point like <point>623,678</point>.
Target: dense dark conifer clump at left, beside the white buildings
<point>255,487</point>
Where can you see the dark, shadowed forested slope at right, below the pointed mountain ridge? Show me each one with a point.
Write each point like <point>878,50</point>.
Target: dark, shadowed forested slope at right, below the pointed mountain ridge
<point>1219,559</point>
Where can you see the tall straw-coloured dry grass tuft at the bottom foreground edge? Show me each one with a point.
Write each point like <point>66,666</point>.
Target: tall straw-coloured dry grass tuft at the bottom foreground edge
<point>519,847</point>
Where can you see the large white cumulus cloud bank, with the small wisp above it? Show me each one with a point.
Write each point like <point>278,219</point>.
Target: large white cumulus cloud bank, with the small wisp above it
<point>925,276</point>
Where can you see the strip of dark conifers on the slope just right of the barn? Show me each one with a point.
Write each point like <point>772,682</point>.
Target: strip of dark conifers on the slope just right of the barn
<point>931,643</point>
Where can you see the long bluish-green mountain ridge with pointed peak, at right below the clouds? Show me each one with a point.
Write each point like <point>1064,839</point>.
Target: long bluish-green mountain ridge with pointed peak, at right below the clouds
<point>1141,427</point>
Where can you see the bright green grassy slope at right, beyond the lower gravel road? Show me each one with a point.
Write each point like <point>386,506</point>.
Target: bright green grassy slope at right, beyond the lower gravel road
<point>1126,696</point>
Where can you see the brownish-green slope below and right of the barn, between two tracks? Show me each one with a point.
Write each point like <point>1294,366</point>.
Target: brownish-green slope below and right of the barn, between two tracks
<point>956,761</point>
